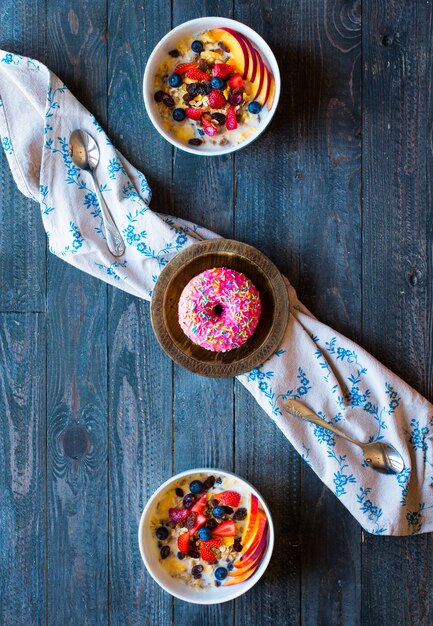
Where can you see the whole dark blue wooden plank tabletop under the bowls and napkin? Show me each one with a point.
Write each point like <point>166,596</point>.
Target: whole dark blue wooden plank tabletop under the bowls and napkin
<point>93,416</point>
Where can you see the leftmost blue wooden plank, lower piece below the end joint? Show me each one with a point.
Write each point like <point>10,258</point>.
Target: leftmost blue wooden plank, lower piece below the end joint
<point>22,469</point>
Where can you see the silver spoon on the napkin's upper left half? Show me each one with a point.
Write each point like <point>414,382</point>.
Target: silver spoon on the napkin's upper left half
<point>84,153</point>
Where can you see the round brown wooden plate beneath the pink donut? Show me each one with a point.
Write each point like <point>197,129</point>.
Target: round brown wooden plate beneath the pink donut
<point>194,260</point>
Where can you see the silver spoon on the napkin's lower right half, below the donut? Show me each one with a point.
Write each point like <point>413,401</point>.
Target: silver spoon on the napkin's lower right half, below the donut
<point>381,457</point>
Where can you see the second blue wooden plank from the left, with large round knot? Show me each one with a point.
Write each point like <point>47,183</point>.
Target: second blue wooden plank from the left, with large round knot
<point>77,367</point>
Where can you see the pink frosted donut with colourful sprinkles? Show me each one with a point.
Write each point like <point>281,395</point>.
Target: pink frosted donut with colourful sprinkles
<point>219,309</point>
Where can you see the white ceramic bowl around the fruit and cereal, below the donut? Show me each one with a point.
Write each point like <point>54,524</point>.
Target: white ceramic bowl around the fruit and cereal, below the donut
<point>176,587</point>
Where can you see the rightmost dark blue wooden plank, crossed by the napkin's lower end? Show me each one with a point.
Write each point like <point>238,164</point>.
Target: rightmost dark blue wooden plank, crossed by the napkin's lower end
<point>397,281</point>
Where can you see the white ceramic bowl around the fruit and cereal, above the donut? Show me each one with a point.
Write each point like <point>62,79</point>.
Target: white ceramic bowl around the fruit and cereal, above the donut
<point>169,42</point>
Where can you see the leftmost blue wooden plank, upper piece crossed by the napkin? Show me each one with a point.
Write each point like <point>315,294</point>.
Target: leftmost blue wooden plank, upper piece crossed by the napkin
<point>22,240</point>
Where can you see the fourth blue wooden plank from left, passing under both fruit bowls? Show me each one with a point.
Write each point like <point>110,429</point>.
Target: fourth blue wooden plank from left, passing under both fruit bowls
<point>202,405</point>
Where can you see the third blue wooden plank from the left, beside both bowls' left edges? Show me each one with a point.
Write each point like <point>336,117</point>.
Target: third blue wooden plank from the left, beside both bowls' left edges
<point>140,375</point>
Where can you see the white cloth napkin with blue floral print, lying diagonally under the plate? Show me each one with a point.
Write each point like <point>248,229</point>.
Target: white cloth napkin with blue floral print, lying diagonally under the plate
<point>329,373</point>
